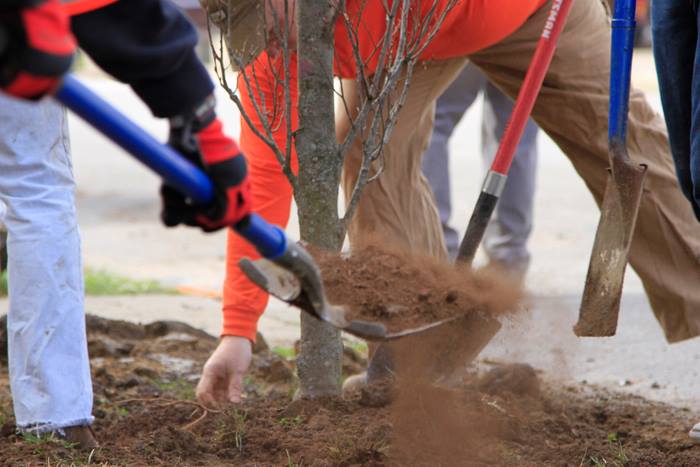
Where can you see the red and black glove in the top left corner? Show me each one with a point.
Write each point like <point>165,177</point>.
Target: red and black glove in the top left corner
<point>38,47</point>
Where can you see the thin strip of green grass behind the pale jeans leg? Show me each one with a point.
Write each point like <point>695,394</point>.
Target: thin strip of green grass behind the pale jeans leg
<point>100,282</point>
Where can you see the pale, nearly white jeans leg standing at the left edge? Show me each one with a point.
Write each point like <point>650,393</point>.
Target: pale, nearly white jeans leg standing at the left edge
<point>48,361</point>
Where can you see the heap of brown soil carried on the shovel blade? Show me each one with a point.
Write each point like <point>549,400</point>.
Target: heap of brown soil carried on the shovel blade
<point>405,291</point>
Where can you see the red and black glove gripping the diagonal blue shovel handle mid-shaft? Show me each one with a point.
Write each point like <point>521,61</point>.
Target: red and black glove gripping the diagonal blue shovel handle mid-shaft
<point>201,139</point>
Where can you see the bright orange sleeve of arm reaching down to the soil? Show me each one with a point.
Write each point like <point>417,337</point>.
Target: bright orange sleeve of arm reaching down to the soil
<point>244,302</point>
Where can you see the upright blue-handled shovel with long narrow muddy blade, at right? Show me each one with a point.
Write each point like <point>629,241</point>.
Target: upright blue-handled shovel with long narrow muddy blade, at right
<point>600,306</point>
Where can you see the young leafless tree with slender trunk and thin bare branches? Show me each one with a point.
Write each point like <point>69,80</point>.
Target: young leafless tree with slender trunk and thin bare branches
<point>410,25</point>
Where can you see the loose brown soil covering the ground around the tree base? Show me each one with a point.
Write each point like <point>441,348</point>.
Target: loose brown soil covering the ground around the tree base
<point>505,415</point>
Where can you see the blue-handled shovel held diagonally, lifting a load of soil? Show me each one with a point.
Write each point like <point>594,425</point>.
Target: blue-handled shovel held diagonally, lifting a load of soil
<point>295,272</point>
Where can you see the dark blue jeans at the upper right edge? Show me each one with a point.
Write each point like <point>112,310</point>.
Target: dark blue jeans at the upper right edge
<point>674,25</point>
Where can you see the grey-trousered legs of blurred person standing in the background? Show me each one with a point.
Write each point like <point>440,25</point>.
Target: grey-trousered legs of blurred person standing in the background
<point>505,241</point>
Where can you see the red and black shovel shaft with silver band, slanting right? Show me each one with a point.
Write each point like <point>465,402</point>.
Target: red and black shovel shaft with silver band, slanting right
<point>495,179</point>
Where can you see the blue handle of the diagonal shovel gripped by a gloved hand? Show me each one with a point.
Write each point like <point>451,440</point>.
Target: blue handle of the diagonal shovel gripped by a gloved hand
<point>268,239</point>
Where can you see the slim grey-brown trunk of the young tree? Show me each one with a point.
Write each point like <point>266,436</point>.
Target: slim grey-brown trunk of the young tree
<point>319,363</point>
